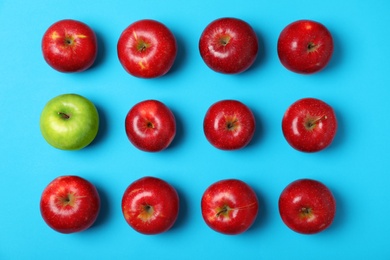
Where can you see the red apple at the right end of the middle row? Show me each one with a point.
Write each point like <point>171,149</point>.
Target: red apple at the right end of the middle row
<point>309,125</point>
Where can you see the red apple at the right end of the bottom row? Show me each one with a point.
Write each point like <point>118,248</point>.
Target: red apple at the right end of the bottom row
<point>307,206</point>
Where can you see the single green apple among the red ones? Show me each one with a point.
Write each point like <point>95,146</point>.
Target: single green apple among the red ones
<point>69,122</point>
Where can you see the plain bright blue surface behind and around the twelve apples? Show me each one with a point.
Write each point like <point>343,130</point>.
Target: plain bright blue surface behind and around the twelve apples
<point>355,167</point>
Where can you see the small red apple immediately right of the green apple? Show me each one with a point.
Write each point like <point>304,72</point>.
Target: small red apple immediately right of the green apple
<point>150,126</point>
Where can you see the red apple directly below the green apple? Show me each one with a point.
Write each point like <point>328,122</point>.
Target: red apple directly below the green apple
<point>70,204</point>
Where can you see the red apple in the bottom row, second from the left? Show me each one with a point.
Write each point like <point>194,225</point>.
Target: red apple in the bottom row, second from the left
<point>150,205</point>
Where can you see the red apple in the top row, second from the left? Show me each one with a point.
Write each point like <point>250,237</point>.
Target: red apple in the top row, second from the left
<point>147,49</point>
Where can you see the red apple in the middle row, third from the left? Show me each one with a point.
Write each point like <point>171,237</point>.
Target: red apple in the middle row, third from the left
<point>229,125</point>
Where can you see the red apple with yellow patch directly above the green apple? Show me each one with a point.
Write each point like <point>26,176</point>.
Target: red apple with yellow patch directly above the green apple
<point>69,46</point>
